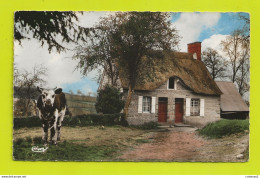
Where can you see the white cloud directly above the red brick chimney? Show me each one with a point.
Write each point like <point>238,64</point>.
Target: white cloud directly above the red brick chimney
<point>190,25</point>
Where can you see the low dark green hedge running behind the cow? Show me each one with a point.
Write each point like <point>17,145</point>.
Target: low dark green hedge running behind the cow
<point>81,120</point>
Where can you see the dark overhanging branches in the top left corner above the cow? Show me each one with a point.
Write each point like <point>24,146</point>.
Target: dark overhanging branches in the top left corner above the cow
<point>50,27</point>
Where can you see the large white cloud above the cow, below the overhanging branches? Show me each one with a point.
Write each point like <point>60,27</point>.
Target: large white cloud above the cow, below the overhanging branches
<point>60,66</point>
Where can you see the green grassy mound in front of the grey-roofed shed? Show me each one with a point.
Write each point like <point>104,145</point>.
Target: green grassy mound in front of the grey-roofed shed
<point>224,127</point>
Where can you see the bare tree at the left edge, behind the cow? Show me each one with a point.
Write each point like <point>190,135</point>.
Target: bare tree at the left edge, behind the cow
<point>25,86</point>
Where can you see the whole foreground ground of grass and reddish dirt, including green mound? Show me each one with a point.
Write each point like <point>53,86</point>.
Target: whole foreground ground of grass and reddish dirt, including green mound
<point>112,143</point>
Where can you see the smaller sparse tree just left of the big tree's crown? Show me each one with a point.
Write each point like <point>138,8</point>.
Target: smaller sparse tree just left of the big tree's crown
<point>95,54</point>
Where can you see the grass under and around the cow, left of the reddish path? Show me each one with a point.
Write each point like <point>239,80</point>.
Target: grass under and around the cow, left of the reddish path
<point>78,144</point>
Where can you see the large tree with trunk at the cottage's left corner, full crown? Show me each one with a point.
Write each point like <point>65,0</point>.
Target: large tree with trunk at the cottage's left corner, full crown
<point>131,42</point>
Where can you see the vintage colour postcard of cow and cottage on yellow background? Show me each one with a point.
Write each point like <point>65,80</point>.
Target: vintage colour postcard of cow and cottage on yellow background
<point>131,86</point>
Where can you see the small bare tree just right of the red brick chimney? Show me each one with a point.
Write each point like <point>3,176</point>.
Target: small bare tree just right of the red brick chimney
<point>215,63</point>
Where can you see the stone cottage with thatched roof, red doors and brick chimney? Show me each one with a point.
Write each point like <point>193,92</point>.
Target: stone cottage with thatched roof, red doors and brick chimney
<point>181,92</point>
